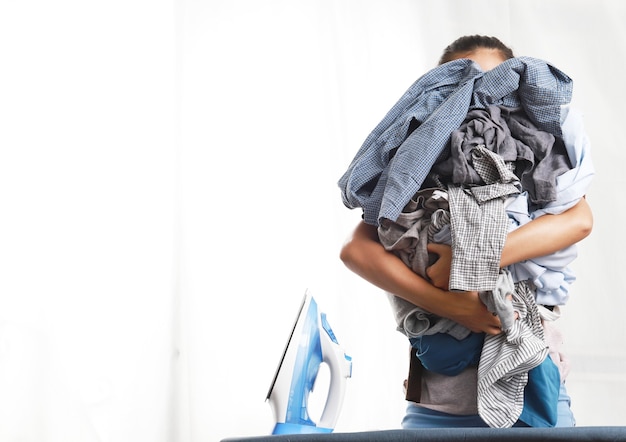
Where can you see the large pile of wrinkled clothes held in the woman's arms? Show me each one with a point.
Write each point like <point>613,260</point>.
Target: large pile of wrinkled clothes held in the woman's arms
<point>463,158</point>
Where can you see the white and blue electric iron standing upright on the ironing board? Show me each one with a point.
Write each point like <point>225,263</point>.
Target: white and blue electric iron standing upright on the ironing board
<point>311,343</point>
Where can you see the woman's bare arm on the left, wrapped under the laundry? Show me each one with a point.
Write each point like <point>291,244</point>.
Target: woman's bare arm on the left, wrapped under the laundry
<point>365,256</point>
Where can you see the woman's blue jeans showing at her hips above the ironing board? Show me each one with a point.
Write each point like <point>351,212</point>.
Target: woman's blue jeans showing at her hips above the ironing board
<point>420,417</point>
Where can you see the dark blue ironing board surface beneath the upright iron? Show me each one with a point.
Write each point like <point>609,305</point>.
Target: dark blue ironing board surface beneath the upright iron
<point>600,434</point>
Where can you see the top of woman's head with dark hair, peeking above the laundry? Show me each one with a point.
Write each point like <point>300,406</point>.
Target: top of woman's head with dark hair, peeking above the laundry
<point>488,52</point>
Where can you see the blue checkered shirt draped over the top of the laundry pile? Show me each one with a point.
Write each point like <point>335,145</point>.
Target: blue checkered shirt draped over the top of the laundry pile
<point>382,183</point>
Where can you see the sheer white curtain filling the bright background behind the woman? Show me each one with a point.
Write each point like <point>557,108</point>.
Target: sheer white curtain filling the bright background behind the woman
<point>168,192</point>
